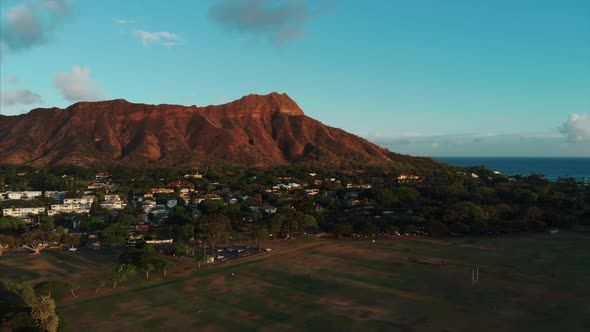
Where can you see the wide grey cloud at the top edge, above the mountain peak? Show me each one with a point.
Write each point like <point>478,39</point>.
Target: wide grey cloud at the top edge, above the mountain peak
<point>278,21</point>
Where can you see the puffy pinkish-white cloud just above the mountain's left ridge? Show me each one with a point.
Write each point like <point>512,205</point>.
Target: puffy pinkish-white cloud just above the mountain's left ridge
<point>78,86</point>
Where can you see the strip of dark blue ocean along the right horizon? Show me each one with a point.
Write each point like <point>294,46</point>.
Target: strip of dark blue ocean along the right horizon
<point>552,168</point>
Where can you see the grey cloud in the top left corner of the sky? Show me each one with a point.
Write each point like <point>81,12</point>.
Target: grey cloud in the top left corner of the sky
<point>31,23</point>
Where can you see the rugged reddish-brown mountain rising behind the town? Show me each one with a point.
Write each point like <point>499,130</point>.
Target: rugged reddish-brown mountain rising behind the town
<point>256,130</point>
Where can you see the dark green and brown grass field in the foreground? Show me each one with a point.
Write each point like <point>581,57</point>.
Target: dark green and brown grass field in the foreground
<point>527,283</point>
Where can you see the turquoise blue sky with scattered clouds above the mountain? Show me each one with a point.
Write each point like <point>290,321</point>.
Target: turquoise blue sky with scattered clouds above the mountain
<point>424,77</point>
